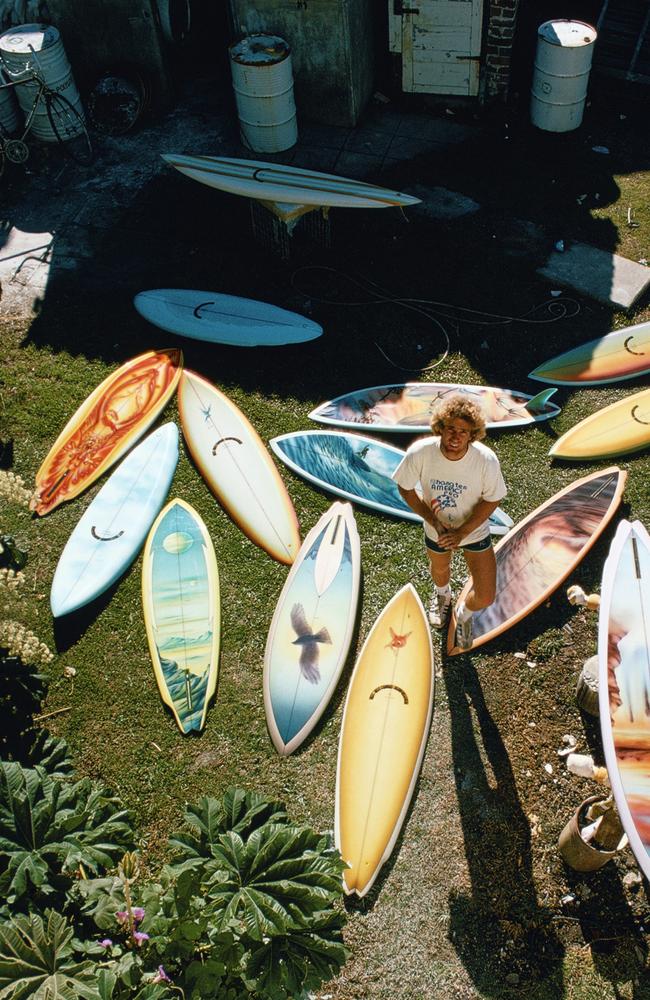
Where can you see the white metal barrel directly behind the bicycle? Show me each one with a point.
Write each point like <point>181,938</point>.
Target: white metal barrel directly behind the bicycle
<point>37,48</point>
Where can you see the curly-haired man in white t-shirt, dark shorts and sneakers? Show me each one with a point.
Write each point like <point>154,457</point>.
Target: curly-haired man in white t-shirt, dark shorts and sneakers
<point>461,485</point>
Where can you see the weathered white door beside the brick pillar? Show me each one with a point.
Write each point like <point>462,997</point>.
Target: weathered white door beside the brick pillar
<point>440,42</point>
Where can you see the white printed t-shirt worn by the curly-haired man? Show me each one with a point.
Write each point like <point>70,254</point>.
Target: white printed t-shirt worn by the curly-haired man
<point>458,485</point>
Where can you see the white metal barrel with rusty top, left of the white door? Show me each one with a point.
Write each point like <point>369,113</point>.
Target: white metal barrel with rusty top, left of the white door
<point>262,78</point>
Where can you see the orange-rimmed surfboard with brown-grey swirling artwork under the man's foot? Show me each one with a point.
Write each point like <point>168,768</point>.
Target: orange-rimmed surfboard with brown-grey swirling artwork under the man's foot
<point>542,550</point>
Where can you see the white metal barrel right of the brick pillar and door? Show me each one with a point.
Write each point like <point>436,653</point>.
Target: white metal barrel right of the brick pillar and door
<point>562,65</point>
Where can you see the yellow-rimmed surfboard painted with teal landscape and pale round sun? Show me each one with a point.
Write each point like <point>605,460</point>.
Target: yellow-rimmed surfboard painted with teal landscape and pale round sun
<point>180,598</point>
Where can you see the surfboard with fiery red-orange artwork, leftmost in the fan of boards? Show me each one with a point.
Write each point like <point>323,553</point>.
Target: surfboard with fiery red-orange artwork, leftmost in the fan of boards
<point>106,425</point>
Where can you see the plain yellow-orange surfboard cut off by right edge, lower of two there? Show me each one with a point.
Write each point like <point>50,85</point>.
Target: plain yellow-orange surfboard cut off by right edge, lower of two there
<point>617,429</point>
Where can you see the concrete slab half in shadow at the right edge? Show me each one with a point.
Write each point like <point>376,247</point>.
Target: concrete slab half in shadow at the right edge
<point>599,274</point>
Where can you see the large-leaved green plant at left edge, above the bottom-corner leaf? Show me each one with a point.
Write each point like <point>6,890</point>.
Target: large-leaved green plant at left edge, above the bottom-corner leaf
<point>52,830</point>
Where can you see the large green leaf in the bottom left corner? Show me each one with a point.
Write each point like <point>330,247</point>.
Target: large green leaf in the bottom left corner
<point>36,960</point>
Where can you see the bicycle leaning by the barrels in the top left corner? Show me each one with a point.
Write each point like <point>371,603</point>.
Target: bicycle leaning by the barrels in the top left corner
<point>65,121</point>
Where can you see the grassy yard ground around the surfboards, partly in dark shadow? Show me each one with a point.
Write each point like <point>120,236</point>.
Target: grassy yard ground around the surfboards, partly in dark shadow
<point>470,903</point>
